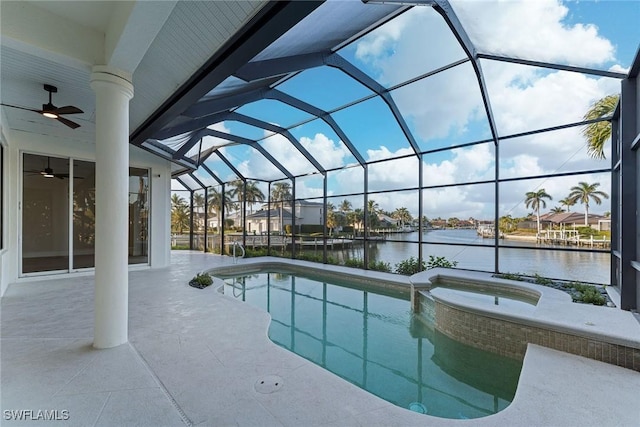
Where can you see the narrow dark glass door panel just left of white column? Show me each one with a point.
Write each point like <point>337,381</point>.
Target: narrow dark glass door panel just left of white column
<point>84,204</point>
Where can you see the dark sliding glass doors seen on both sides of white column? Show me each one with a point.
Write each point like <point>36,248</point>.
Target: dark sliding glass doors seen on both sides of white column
<point>59,231</point>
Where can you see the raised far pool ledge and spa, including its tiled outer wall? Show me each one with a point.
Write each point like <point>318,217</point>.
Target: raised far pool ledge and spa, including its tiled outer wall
<point>602,333</point>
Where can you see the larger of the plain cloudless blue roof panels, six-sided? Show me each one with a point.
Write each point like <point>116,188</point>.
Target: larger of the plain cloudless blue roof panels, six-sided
<point>325,87</point>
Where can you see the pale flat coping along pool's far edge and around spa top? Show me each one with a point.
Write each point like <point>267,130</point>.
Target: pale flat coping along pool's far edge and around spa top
<point>554,310</point>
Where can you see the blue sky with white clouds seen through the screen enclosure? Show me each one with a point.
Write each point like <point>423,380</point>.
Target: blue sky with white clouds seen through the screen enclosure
<point>446,109</point>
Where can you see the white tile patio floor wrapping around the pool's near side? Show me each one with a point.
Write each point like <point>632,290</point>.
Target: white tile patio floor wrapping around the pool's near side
<point>194,357</point>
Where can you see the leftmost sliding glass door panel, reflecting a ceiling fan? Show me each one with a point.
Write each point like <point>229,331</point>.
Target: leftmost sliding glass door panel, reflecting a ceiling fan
<point>45,214</point>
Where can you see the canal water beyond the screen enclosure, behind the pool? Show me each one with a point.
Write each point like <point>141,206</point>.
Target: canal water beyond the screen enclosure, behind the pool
<point>528,258</point>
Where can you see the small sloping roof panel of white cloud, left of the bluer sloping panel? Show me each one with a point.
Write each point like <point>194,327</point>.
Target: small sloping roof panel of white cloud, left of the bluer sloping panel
<point>322,143</point>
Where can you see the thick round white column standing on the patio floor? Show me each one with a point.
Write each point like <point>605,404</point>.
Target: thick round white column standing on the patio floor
<point>113,90</point>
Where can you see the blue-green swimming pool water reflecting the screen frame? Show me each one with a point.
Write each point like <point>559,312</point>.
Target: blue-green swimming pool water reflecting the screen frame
<point>371,338</point>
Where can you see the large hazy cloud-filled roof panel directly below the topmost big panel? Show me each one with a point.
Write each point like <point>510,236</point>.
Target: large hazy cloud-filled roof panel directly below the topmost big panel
<point>444,109</point>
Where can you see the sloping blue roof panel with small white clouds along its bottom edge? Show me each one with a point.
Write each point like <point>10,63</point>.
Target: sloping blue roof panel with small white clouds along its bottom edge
<point>373,129</point>
